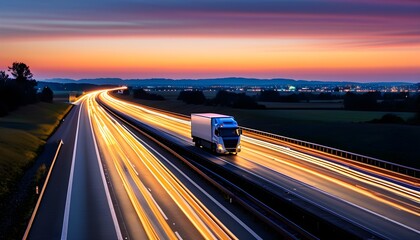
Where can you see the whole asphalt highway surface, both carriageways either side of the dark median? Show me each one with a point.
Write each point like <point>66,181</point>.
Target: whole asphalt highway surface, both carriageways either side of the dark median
<point>109,182</point>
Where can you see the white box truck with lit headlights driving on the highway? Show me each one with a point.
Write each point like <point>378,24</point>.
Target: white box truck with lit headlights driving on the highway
<point>219,133</point>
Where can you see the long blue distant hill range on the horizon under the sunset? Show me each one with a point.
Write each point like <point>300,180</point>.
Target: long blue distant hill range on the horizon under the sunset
<point>228,82</point>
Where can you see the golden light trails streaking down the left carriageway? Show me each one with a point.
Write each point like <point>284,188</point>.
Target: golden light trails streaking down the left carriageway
<point>131,159</point>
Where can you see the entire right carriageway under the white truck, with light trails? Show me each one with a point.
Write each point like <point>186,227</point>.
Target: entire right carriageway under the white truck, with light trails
<point>382,204</point>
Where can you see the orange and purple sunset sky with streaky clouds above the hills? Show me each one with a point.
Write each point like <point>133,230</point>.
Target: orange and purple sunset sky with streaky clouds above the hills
<point>357,40</point>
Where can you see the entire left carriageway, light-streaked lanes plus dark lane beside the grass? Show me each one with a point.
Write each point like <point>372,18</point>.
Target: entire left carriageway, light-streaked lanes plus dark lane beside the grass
<point>111,183</point>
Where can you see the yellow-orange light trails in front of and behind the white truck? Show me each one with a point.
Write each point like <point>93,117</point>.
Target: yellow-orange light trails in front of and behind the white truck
<point>181,127</point>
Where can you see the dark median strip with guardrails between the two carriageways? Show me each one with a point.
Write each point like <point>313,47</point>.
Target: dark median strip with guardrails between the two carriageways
<point>279,210</point>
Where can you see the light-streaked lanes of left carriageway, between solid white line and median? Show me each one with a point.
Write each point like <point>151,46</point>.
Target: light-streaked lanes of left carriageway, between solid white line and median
<point>168,199</point>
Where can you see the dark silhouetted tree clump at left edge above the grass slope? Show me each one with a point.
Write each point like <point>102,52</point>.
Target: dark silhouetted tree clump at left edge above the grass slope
<point>20,89</point>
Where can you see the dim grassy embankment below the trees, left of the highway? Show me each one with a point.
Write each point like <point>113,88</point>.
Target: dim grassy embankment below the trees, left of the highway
<point>22,134</point>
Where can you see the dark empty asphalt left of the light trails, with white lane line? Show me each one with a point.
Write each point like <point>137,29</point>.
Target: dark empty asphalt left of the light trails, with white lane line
<point>76,203</point>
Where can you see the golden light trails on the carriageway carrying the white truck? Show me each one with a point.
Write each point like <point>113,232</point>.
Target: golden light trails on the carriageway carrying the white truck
<point>358,184</point>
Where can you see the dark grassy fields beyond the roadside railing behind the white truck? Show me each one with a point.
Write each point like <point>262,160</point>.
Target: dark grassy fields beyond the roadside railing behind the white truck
<point>346,130</point>
